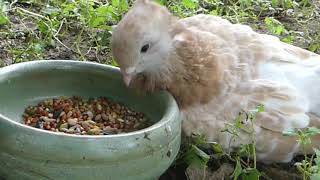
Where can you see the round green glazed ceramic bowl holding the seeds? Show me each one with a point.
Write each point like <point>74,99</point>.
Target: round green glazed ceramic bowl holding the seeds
<point>30,153</point>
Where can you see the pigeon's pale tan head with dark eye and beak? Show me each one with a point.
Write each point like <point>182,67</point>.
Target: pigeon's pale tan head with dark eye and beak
<point>141,42</point>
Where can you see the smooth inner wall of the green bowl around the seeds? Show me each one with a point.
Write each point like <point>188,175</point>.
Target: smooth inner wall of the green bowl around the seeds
<point>28,83</point>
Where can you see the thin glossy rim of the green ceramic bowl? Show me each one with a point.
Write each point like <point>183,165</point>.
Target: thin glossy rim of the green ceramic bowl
<point>171,110</point>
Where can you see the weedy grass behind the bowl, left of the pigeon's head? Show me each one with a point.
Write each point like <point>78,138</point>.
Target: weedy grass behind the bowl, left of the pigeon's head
<point>82,28</point>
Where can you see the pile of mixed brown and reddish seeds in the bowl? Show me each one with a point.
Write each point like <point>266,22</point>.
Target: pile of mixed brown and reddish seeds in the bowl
<point>75,115</point>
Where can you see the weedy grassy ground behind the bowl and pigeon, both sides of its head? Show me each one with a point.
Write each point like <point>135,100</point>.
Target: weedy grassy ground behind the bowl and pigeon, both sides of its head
<point>81,29</point>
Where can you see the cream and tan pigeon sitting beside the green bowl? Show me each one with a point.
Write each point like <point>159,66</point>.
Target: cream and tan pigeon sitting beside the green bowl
<point>215,69</point>
